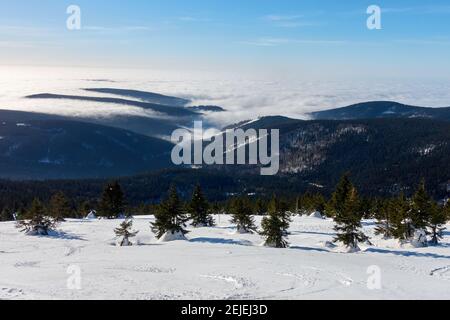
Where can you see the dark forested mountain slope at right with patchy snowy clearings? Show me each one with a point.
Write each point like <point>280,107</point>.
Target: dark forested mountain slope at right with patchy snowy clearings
<point>384,155</point>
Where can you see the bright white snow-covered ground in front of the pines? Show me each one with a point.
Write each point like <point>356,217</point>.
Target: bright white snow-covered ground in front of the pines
<point>215,263</point>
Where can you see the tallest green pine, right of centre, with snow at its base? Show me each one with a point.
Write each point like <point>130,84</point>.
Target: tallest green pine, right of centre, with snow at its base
<point>346,209</point>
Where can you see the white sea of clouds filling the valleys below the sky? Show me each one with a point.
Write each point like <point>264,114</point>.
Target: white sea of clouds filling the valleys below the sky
<point>244,97</point>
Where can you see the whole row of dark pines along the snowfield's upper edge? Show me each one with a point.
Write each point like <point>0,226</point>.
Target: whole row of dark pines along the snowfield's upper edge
<point>400,217</point>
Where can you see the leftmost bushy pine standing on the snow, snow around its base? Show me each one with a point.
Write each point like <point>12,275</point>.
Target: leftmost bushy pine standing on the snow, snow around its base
<point>36,223</point>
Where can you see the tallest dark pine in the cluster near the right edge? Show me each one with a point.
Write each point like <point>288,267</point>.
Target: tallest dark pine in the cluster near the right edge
<point>421,208</point>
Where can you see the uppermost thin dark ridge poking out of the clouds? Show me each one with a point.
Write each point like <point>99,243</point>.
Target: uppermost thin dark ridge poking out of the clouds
<point>144,96</point>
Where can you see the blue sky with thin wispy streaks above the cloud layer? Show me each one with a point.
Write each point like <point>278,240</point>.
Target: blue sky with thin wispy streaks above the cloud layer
<point>326,37</point>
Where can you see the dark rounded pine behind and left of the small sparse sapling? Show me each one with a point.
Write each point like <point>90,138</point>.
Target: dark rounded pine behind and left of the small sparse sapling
<point>112,202</point>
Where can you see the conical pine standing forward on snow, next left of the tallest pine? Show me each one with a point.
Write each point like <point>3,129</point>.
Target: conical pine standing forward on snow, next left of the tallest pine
<point>275,226</point>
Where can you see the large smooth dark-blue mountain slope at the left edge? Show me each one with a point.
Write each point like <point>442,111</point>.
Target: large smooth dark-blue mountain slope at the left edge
<point>36,146</point>
